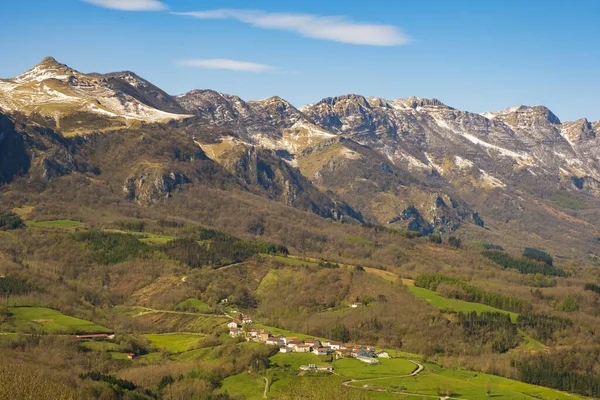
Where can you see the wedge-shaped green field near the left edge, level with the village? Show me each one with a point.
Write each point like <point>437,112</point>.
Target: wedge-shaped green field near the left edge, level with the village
<point>51,321</point>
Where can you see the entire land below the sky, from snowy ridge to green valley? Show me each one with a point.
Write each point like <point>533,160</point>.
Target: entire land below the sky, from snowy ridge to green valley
<point>136,227</point>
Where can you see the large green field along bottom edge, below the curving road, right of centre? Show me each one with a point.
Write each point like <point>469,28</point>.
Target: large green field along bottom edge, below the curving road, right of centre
<point>466,385</point>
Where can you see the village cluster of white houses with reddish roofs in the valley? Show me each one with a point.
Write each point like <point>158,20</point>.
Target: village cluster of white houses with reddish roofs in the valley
<point>311,345</point>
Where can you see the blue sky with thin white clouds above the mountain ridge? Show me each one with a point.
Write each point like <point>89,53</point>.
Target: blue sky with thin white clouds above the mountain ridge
<point>474,55</point>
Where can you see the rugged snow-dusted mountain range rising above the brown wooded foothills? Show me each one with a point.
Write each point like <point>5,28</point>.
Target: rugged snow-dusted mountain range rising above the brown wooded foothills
<point>517,176</point>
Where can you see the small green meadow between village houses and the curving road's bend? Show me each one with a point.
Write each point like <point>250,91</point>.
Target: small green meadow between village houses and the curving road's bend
<point>356,369</point>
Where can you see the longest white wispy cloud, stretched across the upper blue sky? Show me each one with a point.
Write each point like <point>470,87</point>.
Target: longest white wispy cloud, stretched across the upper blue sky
<point>336,28</point>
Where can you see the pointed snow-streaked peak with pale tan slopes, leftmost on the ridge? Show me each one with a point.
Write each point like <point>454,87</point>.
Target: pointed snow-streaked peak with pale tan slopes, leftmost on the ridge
<point>80,103</point>
